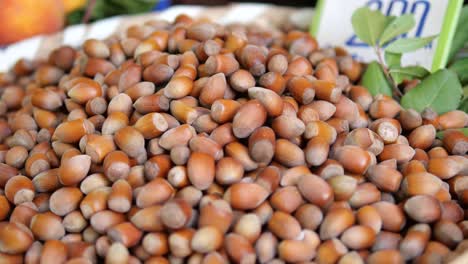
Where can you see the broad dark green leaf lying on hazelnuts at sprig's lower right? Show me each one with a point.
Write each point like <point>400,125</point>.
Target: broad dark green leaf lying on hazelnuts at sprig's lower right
<point>440,91</point>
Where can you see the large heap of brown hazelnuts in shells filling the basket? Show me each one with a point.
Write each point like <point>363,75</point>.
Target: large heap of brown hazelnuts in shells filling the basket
<point>190,142</point>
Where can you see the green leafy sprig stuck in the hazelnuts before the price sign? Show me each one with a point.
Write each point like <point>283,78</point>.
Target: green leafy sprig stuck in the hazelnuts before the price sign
<point>440,91</point>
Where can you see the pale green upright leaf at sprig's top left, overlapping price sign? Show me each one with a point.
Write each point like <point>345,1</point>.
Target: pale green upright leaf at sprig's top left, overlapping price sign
<point>368,25</point>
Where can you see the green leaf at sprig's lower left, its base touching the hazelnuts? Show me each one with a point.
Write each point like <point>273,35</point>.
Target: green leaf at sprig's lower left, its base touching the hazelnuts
<point>375,81</point>
